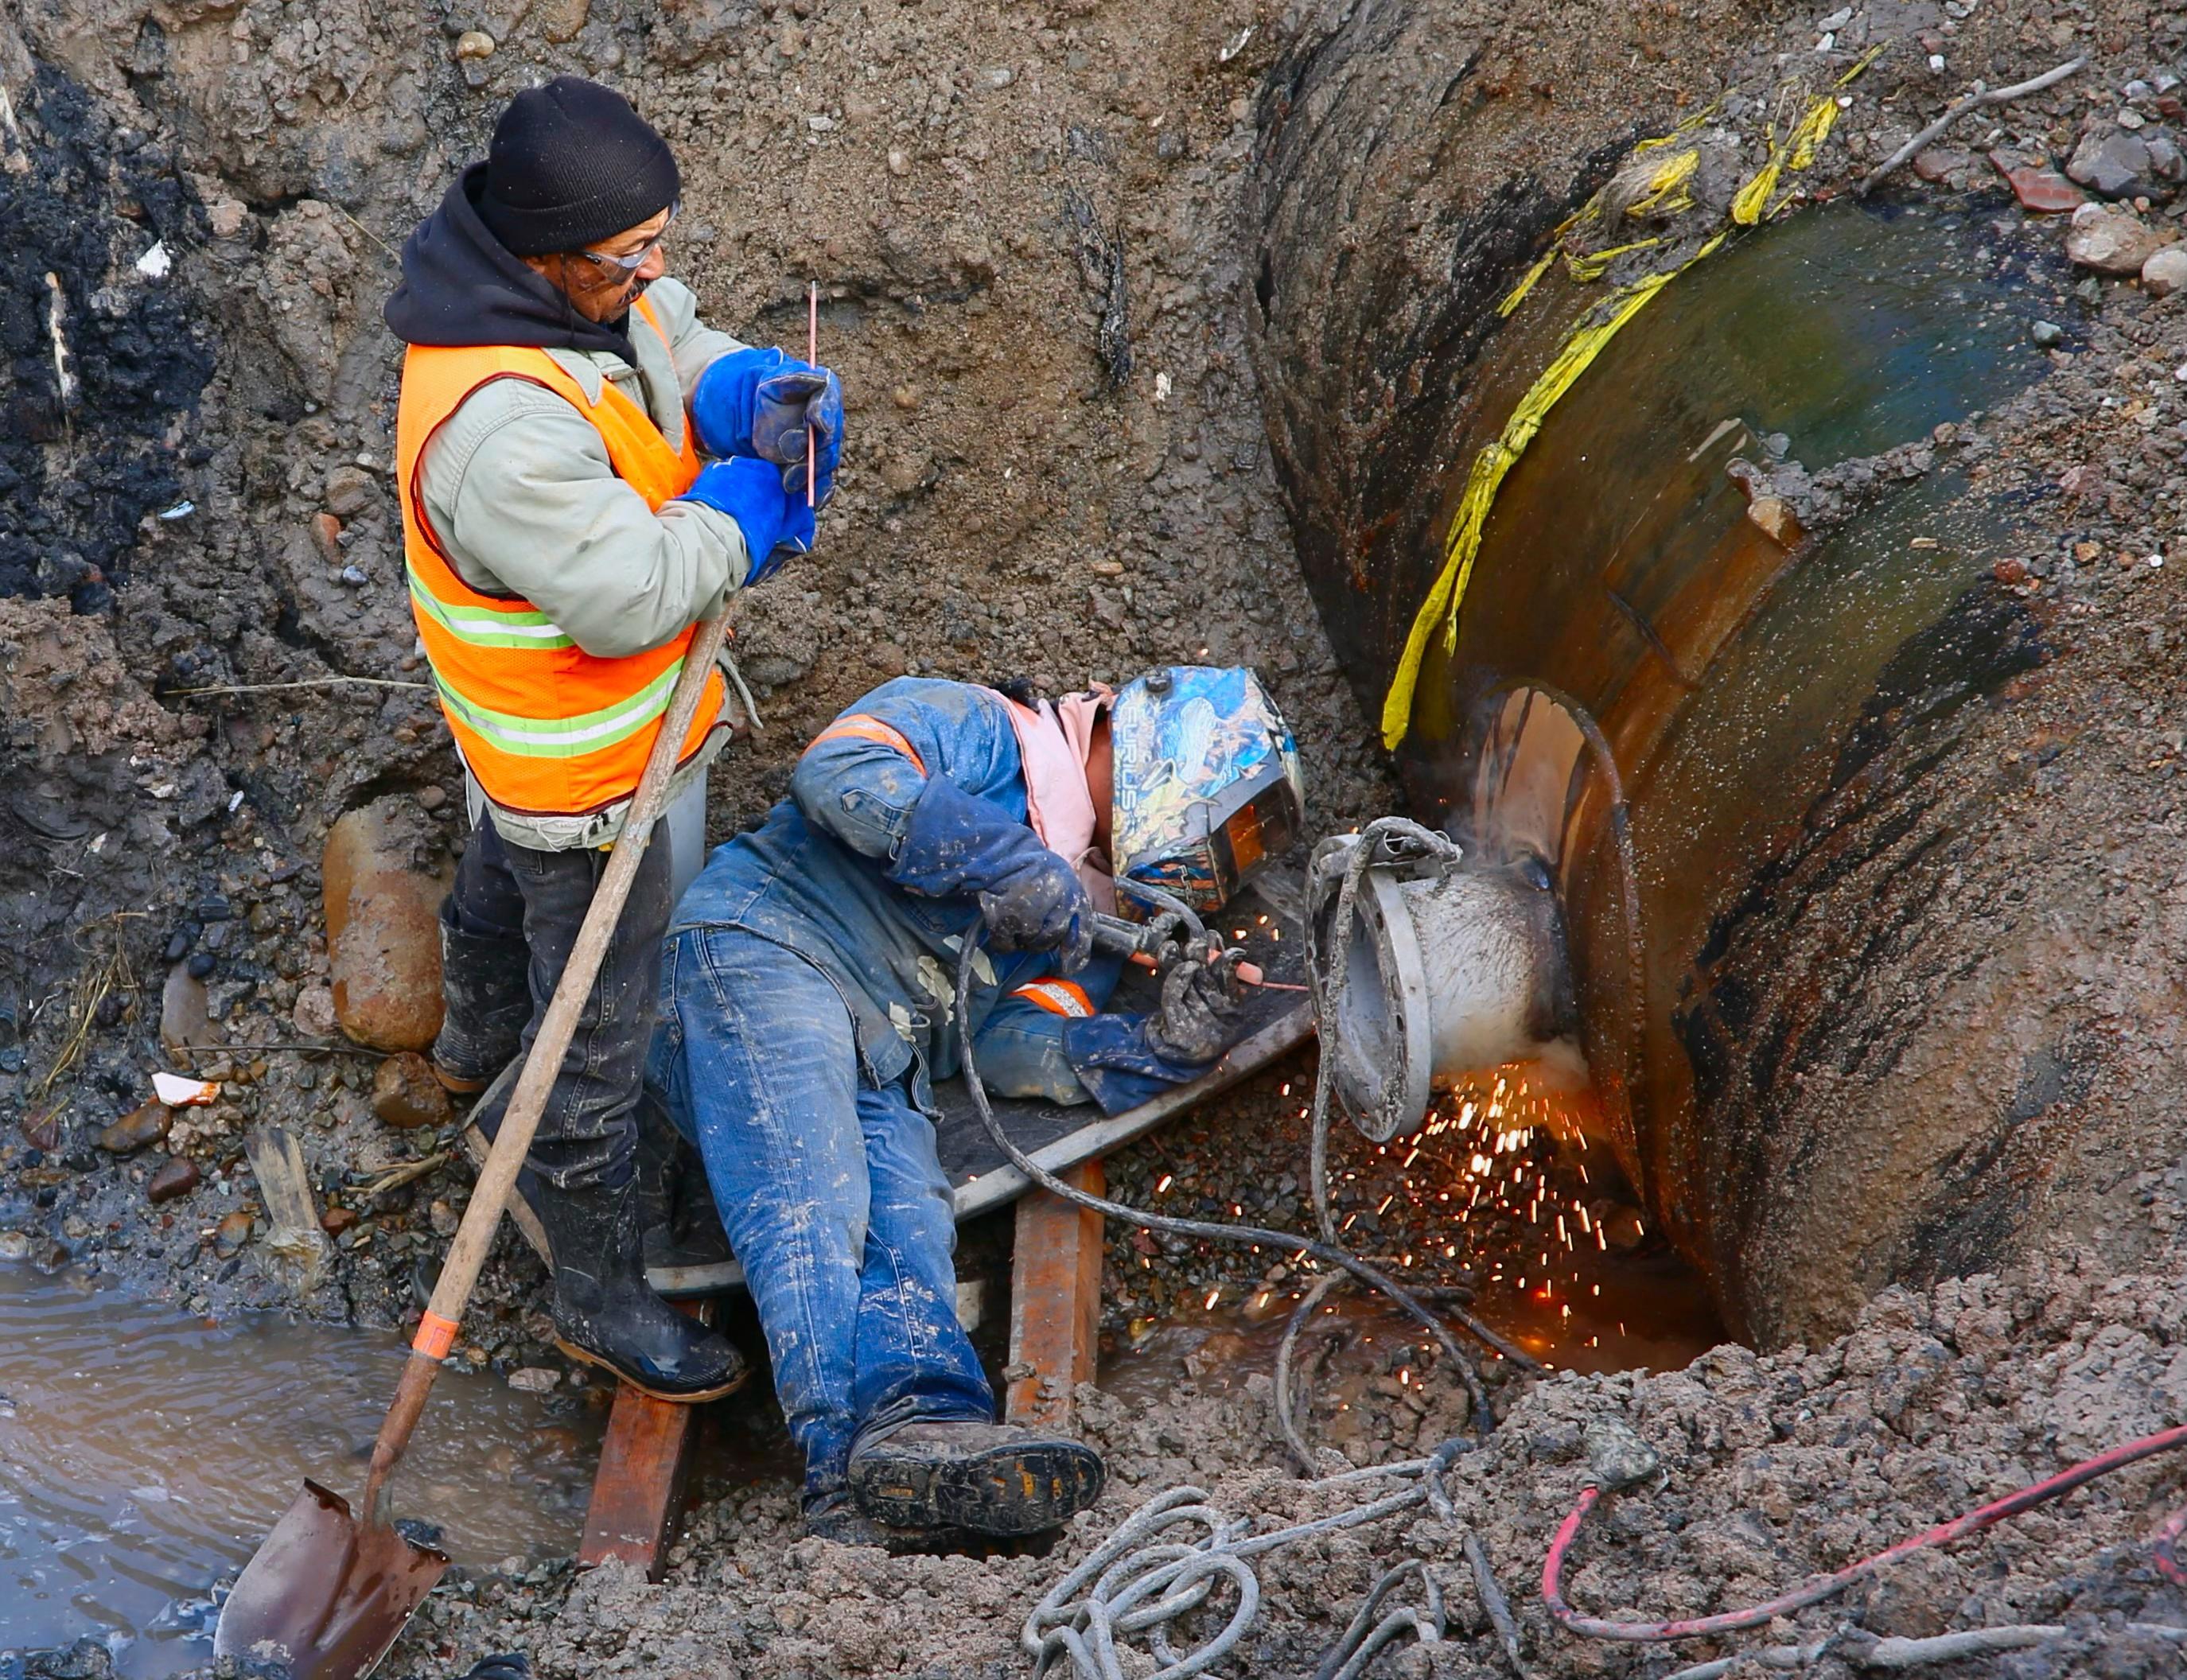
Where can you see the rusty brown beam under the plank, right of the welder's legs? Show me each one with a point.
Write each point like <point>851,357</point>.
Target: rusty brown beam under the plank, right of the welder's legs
<point>1055,1303</point>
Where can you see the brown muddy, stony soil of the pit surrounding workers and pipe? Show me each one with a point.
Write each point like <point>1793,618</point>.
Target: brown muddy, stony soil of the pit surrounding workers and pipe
<point>1031,235</point>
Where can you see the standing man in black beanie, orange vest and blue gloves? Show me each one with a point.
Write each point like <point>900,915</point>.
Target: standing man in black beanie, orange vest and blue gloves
<point>565,530</point>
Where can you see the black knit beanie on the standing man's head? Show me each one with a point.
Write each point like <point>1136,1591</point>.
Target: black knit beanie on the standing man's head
<point>574,165</point>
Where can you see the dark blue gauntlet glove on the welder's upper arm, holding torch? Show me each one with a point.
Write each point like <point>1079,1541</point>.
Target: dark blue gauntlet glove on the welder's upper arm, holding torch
<point>1031,900</point>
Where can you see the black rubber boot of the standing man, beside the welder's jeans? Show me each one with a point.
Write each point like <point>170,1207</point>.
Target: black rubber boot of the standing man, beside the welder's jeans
<point>609,1318</point>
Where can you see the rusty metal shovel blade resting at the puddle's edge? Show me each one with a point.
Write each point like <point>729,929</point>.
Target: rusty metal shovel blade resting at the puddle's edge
<point>327,1596</point>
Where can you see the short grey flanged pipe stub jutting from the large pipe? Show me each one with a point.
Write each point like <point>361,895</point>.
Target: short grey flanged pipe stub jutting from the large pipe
<point>1447,970</point>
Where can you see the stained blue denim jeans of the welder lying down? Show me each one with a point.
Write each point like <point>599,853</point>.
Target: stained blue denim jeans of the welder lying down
<point>830,1191</point>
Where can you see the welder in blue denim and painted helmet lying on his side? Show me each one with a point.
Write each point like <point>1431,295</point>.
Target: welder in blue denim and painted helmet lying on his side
<point>810,996</point>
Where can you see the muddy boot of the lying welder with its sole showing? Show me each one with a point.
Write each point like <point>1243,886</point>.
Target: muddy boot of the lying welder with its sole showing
<point>983,1478</point>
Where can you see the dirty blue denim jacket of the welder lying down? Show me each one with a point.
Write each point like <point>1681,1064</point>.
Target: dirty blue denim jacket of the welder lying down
<point>812,878</point>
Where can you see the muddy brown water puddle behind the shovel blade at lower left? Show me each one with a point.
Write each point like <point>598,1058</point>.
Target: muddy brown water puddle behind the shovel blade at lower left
<point>143,1454</point>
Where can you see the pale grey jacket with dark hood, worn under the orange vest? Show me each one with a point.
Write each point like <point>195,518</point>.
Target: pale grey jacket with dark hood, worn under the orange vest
<point>517,482</point>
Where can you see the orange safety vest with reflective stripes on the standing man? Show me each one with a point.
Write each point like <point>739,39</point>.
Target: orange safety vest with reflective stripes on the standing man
<point>543,725</point>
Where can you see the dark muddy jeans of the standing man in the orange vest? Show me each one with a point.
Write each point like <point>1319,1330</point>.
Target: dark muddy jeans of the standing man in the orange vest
<point>589,1132</point>
